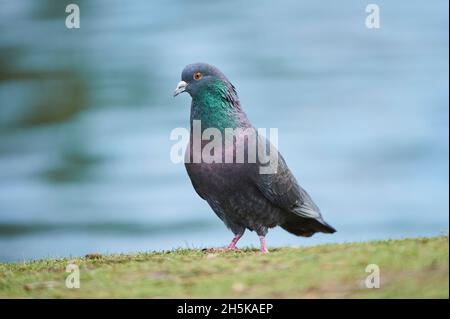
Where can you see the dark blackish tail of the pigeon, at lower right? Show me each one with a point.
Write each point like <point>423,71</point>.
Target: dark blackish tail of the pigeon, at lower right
<point>306,227</point>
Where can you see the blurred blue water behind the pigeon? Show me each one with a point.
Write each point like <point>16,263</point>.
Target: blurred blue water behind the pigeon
<point>85,118</point>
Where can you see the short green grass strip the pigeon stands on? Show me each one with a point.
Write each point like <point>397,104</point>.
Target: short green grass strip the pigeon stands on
<point>409,268</point>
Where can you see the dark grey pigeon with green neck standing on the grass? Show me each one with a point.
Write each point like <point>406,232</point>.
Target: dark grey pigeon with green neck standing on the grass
<point>239,194</point>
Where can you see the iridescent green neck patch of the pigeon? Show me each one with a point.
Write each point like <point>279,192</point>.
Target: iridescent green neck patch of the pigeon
<point>213,106</point>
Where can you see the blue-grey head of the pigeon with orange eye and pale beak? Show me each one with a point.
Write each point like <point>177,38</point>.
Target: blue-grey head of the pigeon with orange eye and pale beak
<point>198,76</point>
